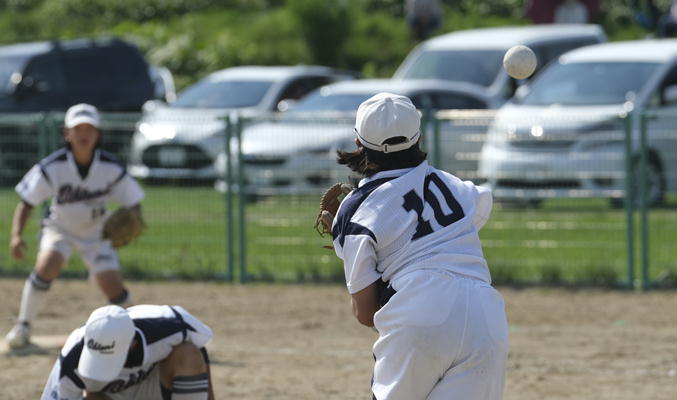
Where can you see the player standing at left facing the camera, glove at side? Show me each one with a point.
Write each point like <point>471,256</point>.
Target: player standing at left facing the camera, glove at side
<point>80,179</point>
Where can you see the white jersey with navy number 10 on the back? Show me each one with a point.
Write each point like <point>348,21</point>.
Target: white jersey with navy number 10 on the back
<point>401,220</point>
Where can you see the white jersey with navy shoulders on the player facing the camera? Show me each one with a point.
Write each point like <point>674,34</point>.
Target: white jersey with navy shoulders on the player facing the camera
<point>78,204</point>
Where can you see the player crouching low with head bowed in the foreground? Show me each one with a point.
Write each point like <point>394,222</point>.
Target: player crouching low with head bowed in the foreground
<point>145,352</point>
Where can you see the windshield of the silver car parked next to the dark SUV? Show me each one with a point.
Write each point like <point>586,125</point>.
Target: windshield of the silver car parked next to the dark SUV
<point>223,94</point>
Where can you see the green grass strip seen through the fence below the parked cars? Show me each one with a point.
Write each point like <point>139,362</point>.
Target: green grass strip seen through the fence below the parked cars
<point>563,242</point>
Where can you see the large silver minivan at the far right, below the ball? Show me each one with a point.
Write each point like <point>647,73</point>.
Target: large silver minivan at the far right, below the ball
<point>564,136</point>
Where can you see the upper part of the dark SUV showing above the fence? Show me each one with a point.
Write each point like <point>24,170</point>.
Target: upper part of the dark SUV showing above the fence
<point>51,76</point>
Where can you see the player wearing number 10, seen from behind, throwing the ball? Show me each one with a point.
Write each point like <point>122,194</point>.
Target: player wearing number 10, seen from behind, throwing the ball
<point>442,326</point>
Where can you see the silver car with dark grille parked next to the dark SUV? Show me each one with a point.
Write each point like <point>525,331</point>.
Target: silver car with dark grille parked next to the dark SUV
<point>182,140</point>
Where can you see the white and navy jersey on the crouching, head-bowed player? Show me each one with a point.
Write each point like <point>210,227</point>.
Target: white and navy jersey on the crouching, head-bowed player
<point>158,330</point>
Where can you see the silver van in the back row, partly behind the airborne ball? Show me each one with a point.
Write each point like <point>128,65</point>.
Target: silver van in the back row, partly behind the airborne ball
<point>476,55</point>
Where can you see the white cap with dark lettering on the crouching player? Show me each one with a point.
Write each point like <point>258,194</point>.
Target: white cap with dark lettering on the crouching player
<point>108,335</point>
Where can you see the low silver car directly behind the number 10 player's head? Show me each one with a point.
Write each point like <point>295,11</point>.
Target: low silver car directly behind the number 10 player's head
<point>296,153</point>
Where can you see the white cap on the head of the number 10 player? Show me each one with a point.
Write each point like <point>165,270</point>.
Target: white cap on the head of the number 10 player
<point>384,116</point>
